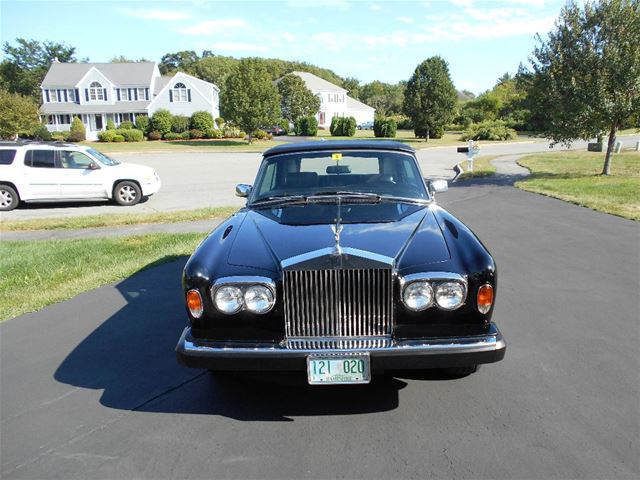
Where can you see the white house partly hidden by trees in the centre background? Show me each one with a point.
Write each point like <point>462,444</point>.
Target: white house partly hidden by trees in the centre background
<point>334,101</point>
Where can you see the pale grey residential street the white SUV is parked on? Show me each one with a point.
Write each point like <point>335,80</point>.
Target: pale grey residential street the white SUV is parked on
<point>192,180</point>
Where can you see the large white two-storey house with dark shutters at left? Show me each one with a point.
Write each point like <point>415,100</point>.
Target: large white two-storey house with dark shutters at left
<point>97,92</point>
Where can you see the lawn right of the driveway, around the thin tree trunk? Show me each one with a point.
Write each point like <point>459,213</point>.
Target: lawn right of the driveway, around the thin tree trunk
<point>575,177</point>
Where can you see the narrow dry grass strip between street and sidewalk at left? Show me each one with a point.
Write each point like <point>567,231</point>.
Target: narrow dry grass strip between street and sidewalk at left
<point>116,220</point>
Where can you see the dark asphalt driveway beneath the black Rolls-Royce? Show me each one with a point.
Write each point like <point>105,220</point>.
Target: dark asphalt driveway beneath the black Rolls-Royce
<point>89,388</point>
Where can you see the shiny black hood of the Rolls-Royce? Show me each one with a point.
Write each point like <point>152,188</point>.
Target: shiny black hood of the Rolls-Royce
<point>408,234</point>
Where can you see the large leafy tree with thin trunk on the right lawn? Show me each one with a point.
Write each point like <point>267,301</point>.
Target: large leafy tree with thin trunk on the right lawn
<point>586,75</point>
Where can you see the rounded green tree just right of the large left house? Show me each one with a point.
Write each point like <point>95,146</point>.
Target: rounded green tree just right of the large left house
<point>251,100</point>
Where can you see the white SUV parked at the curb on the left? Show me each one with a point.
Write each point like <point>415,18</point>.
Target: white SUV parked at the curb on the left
<point>45,172</point>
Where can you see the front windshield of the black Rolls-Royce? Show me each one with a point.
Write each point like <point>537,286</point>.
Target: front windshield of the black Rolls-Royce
<point>305,174</point>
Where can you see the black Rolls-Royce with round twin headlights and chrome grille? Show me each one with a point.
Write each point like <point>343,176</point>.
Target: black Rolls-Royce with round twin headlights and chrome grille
<point>341,264</point>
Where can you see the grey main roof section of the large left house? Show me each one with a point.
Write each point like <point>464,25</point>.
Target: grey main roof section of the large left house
<point>69,74</point>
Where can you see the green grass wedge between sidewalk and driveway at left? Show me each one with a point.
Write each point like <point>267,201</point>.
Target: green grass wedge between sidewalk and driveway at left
<point>37,274</point>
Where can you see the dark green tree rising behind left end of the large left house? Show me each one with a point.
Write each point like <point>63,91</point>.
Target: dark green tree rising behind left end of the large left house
<point>26,64</point>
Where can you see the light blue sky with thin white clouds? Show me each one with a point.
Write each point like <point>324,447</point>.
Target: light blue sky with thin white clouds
<point>368,40</point>
